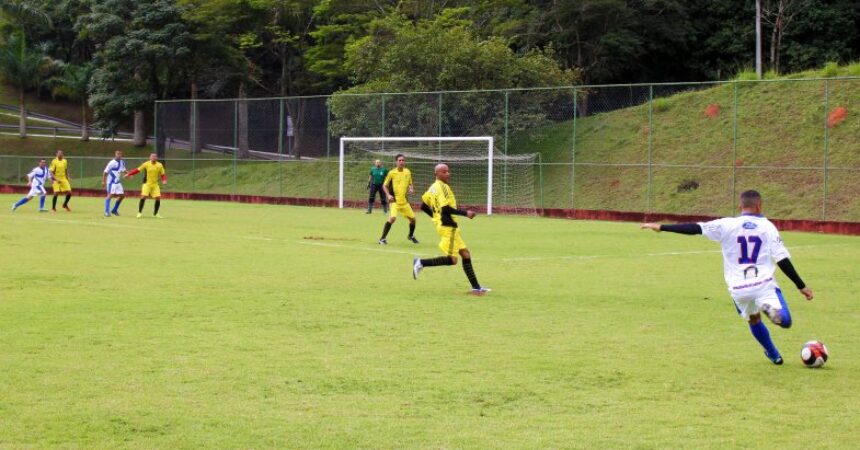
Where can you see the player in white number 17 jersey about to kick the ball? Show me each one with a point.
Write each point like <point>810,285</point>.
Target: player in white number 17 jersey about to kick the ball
<point>751,244</point>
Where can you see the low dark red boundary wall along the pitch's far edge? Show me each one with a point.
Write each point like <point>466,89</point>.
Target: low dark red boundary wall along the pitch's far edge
<point>816,226</point>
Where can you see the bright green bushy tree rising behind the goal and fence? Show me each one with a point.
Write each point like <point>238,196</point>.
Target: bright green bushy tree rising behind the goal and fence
<point>438,54</point>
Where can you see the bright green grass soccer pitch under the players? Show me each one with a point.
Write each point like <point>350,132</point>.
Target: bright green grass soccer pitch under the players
<point>222,326</point>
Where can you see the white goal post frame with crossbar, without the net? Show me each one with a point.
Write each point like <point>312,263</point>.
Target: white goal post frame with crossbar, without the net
<point>484,142</point>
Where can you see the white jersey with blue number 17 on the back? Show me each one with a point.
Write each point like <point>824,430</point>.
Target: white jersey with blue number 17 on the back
<point>751,244</point>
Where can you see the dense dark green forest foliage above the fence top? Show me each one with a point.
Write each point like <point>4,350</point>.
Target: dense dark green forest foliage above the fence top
<point>139,51</point>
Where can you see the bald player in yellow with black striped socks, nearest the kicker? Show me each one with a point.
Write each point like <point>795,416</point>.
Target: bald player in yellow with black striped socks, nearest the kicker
<point>440,204</point>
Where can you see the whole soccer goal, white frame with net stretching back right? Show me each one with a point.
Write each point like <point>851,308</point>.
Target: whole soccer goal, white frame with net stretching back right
<point>481,176</point>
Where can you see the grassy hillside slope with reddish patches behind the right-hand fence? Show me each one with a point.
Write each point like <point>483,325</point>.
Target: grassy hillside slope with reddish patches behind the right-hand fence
<point>778,148</point>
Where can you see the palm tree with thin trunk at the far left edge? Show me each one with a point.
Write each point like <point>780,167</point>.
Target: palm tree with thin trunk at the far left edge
<point>20,66</point>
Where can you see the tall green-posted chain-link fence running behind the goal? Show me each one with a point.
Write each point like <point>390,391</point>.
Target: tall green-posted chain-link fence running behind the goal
<point>672,148</point>
